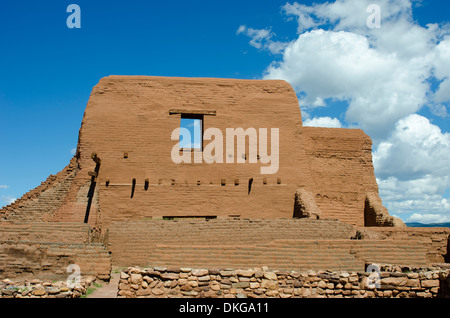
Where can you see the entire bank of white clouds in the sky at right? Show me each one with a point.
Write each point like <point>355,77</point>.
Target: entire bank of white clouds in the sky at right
<point>384,77</point>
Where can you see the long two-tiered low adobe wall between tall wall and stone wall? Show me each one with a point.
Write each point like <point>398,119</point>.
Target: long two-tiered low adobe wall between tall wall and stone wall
<point>299,244</point>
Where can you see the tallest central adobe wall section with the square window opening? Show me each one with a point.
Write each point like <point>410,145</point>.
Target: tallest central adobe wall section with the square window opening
<point>129,121</point>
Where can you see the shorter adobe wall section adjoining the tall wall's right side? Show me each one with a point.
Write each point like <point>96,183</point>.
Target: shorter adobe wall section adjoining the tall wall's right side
<point>342,171</point>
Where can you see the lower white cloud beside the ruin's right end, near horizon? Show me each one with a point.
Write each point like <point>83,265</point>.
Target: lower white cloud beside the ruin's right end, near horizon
<point>412,167</point>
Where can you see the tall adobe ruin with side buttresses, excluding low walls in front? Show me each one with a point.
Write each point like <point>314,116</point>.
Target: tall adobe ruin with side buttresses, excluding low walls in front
<point>129,122</point>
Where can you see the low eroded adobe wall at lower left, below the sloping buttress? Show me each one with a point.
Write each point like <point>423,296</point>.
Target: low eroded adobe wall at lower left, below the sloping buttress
<point>46,249</point>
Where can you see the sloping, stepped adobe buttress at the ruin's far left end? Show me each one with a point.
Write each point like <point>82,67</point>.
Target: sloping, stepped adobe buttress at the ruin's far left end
<point>40,203</point>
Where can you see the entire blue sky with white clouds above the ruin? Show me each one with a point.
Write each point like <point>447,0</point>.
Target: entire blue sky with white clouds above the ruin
<point>47,72</point>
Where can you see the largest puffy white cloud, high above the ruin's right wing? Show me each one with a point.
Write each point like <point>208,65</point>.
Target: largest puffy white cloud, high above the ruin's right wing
<point>381,86</point>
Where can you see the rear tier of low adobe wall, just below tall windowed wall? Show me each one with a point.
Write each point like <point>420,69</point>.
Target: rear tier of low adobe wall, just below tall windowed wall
<point>135,242</point>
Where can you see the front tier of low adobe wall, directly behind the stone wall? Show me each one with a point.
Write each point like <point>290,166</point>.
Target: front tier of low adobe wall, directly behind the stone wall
<point>333,255</point>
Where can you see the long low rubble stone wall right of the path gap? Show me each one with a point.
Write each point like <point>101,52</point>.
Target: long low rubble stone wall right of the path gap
<point>391,282</point>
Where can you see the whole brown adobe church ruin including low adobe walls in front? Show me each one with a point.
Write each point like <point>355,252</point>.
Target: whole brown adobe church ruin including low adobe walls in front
<point>124,196</point>
